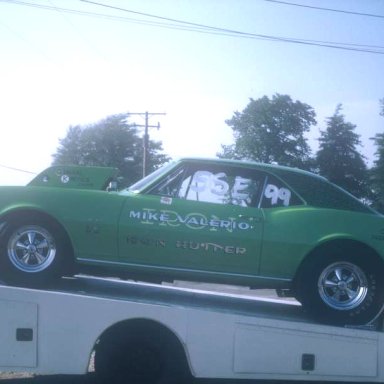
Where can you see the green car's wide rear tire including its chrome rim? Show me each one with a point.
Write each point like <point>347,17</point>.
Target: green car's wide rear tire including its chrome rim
<point>342,290</point>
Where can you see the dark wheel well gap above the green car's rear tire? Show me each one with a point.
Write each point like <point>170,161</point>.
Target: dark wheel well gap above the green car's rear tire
<point>344,246</point>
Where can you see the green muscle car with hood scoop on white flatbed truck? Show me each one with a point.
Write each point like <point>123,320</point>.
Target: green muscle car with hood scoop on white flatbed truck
<point>221,221</point>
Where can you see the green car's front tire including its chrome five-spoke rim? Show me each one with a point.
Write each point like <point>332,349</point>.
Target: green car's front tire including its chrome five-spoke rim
<point>32,252</point>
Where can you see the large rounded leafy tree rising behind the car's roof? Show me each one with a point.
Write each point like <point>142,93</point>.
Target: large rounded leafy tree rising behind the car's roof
<point>272,131</point>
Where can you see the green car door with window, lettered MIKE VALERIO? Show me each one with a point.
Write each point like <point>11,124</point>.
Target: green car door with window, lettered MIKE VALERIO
<point>200,217</point>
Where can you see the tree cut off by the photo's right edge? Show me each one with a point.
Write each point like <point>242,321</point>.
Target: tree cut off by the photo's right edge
<point>377,171</point>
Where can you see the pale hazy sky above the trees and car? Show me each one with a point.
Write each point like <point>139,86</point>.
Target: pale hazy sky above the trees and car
<point>61,68</point>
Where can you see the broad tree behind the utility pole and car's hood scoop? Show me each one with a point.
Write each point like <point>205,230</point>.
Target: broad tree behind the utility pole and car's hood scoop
<point>110,142</point>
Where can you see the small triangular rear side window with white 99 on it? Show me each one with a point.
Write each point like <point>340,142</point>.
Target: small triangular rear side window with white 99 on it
<point>277,194</point>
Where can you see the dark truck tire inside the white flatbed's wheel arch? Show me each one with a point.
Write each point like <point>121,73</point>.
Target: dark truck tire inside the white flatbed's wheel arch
<point>141,359</point>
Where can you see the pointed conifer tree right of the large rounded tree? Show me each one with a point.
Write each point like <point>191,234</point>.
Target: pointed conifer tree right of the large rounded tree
<point>338,158</point>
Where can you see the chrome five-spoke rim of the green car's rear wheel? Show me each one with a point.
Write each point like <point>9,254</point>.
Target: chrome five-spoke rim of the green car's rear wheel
<point>343,286</point>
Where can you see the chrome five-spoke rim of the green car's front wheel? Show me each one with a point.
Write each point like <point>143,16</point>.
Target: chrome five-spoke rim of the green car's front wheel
<point>31,249</point>
